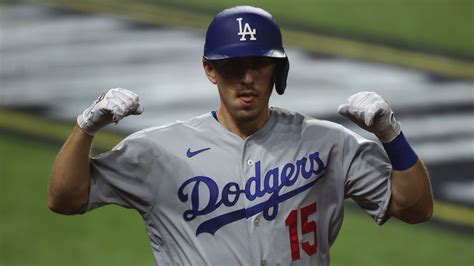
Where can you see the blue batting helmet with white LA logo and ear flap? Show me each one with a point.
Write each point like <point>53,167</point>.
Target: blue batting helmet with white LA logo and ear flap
<point>247,31</point>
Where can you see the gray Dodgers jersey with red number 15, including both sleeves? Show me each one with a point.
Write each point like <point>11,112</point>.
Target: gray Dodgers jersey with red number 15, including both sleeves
<point>208,197</point>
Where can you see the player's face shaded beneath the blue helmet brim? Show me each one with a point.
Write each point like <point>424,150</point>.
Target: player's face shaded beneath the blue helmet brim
<point>245,85</point>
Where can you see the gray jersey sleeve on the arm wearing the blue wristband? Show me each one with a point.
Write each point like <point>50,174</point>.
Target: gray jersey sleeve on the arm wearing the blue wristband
<point>367,172</point>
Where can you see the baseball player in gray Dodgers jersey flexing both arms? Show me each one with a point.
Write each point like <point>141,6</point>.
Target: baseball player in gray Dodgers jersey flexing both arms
<point>246,184</point>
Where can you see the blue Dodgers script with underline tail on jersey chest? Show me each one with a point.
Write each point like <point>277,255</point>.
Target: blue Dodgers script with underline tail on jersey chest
<point>205,196</point>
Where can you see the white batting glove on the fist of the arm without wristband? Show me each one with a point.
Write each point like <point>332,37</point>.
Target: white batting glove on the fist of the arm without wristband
<point>110,107</point>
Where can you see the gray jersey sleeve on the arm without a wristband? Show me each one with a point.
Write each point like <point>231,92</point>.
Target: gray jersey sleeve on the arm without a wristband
<point>124,176</point>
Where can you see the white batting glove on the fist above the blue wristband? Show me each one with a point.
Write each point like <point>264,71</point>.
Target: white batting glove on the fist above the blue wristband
<point>372,113</point>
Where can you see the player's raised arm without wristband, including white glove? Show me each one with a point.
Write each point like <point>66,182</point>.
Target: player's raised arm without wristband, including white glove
<point>69,184</point>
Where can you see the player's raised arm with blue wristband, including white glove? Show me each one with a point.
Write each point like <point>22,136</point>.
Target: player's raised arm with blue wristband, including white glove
<point>412,199</point>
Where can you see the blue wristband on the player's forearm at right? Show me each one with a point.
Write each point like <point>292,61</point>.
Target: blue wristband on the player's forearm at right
<point>400,153</point>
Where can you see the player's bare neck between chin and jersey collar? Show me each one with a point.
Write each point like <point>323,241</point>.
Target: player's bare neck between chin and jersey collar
<point>242,127</point>
